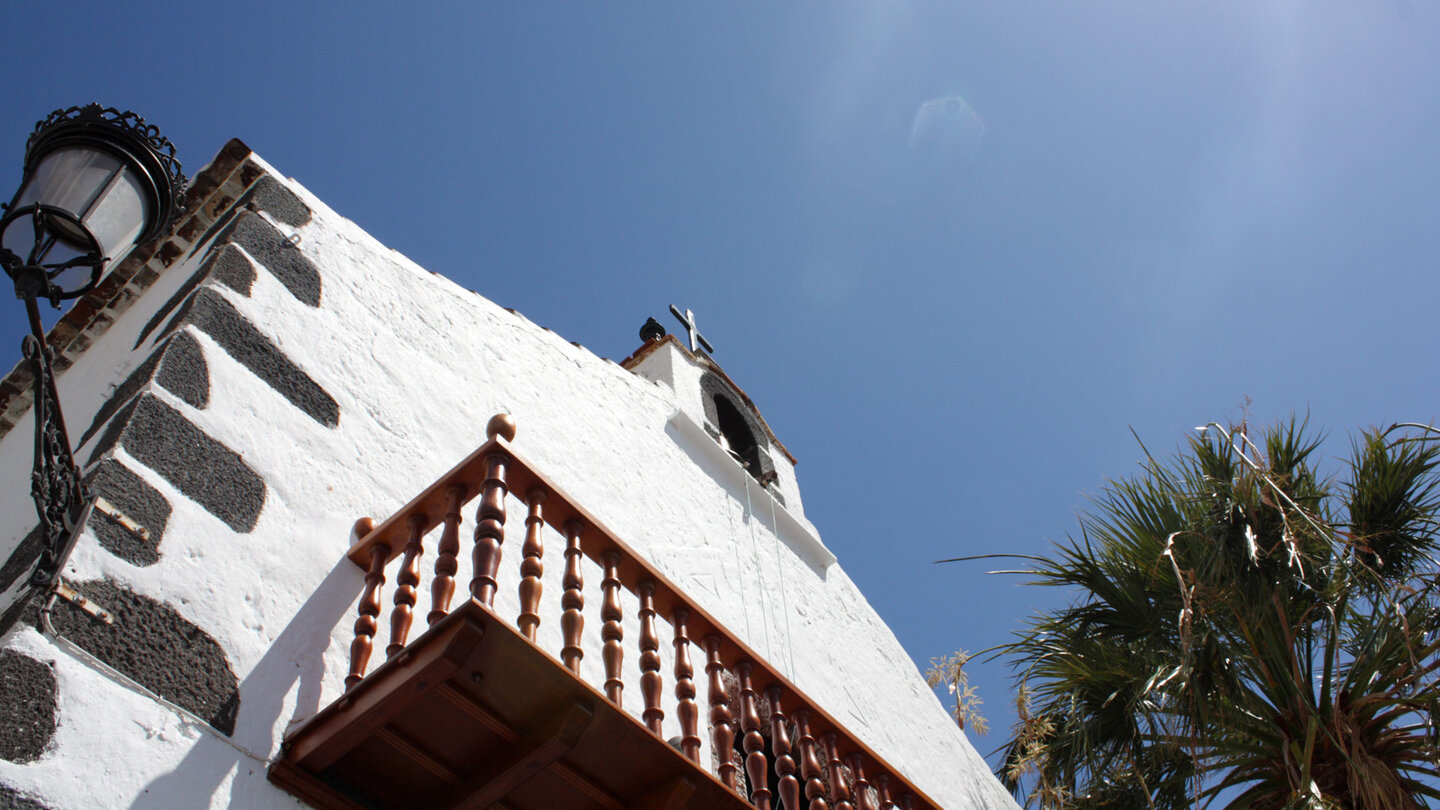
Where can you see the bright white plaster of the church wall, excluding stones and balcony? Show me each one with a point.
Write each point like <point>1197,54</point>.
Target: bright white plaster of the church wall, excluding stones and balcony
<point>418,365</point>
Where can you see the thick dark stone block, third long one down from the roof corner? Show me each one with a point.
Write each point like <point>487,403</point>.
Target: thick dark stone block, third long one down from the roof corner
<point>204,469</point>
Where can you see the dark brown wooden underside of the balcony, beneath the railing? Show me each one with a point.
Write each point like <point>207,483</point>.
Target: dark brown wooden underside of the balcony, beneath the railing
<point>473,716</point>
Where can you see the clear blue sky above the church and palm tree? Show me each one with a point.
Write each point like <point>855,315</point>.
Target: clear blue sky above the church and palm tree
<point>1171,211</point>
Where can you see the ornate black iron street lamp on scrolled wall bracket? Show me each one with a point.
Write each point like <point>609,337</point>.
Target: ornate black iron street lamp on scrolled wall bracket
<point>96,184</point>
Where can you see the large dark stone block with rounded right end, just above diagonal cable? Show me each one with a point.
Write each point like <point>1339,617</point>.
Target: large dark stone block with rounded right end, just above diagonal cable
<point>158,648</point>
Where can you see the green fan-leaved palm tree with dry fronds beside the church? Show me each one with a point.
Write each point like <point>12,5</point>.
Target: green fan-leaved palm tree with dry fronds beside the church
<point>1243,633</point>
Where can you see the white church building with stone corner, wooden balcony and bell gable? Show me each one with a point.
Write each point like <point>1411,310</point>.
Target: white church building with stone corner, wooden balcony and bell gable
<point>371,541</point>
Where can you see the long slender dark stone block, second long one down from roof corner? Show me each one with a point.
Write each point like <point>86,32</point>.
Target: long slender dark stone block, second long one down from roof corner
<point>210,312</point>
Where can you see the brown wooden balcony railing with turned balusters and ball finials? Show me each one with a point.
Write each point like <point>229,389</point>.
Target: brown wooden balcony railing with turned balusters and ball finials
<point>495,471</point>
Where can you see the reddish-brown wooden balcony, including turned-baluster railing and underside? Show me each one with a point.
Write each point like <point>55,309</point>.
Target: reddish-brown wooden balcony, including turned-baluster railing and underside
<point>474,714</point>
